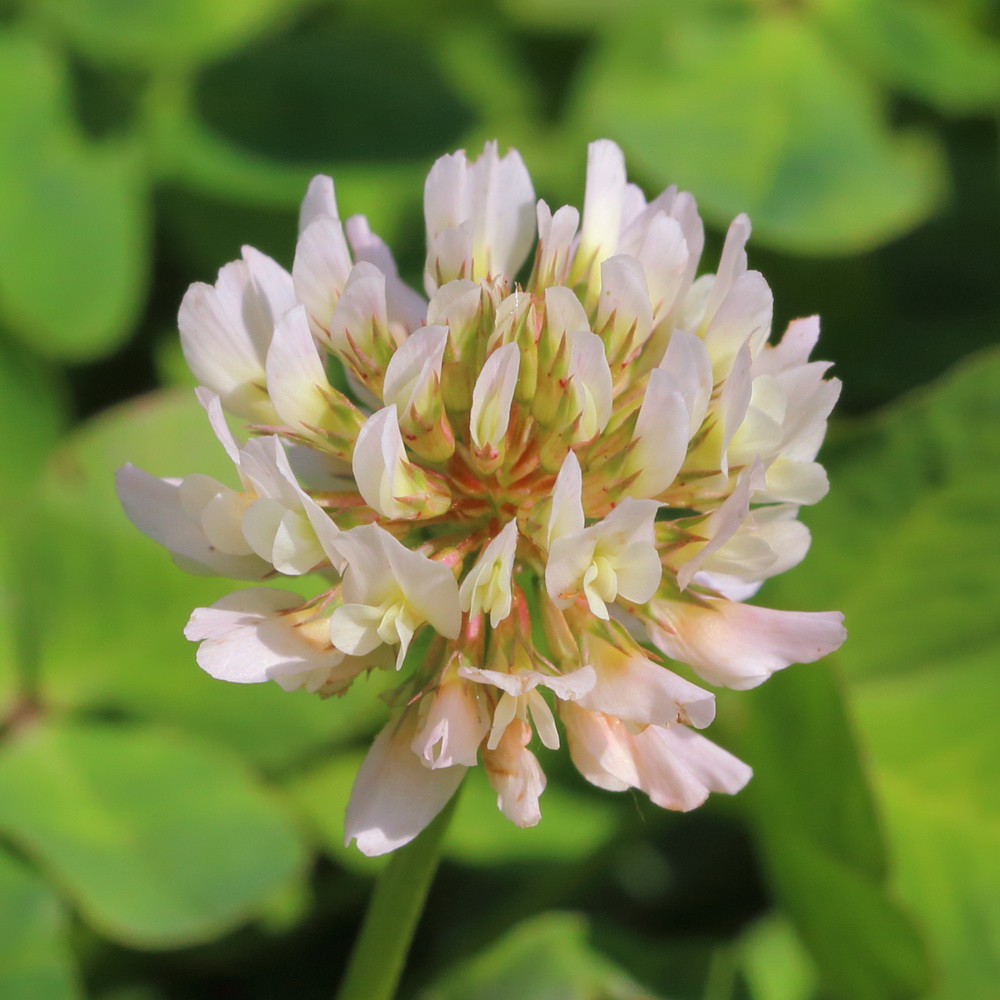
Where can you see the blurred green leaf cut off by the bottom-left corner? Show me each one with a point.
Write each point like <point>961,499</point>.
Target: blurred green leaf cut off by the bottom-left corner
<point>35,960</point>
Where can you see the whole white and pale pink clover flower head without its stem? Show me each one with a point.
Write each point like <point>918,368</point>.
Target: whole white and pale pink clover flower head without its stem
<point>542,478</point>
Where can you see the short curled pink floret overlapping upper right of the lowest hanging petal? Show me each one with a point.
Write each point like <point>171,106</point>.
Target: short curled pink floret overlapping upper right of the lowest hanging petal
<point>455,724</point>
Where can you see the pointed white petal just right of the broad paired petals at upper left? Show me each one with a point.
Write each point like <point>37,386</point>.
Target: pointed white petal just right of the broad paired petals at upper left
<point>296,378</point>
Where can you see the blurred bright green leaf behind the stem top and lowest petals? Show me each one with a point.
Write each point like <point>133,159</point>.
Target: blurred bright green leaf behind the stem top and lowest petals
<point>573,826</point>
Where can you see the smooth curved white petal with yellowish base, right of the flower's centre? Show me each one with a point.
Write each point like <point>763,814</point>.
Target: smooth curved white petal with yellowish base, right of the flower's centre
<point>661,435</point>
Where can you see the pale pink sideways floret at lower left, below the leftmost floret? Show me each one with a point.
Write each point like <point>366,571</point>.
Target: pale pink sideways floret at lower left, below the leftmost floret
<point>248,637</point>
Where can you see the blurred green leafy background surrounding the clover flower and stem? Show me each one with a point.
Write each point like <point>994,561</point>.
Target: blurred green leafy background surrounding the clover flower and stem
<point>167,837</point>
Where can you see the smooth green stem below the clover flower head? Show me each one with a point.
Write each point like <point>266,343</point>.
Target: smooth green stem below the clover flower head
<point>395,907</point>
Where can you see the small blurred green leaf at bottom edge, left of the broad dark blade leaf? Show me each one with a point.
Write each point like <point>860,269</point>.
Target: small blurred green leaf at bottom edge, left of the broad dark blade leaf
<point>774,963</point>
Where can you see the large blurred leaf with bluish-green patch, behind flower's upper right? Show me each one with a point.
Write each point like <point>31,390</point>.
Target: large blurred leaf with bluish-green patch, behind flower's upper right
<point>755,113</point>
